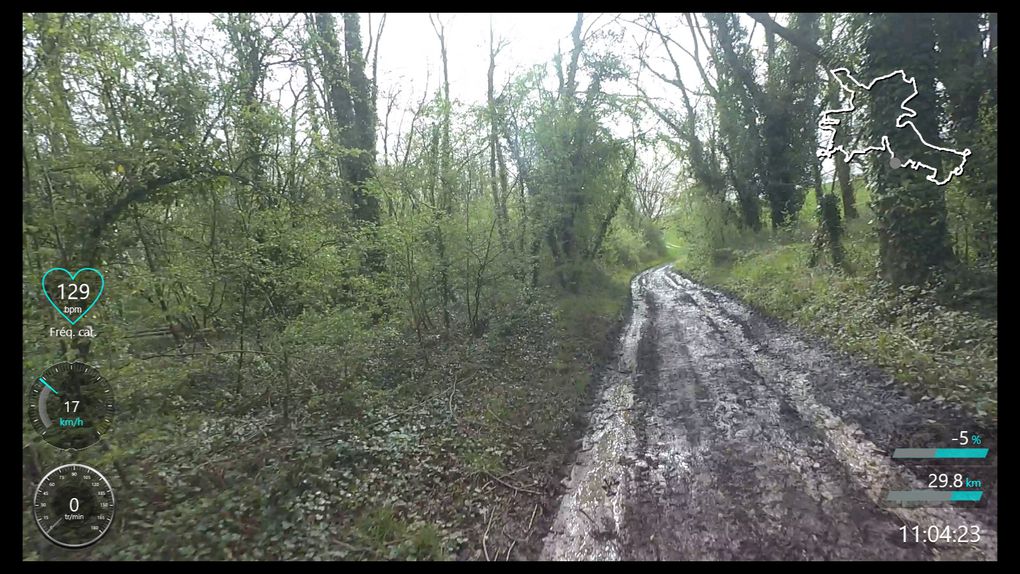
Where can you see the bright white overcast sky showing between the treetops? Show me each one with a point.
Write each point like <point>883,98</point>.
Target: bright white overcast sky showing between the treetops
<point>411,55</point>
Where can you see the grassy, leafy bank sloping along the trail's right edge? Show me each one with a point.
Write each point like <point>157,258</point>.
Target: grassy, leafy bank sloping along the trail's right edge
<point>939,352</point>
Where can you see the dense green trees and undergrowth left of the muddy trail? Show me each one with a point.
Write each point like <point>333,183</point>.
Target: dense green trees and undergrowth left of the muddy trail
<point>297,376</point>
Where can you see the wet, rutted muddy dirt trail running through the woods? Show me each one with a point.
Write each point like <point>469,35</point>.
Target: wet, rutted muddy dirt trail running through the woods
<point>721,435</point>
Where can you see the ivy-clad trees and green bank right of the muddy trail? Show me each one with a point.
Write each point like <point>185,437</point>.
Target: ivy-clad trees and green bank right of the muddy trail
<point>932,322</point>
